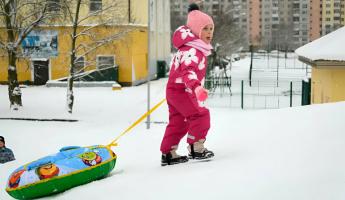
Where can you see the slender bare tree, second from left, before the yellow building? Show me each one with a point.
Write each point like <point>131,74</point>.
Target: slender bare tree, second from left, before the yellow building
<point>84,26</point>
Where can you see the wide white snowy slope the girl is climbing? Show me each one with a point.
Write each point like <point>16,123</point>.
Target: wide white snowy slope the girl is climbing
<point>280,154</point>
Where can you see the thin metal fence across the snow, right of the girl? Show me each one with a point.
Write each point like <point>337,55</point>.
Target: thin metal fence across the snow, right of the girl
<point>262,94</point>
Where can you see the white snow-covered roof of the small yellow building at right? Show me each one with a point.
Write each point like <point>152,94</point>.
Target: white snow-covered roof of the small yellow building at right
<point>330,47</point>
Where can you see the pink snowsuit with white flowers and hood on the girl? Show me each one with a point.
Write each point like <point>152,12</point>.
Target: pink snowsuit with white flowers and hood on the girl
<point>186,113</point>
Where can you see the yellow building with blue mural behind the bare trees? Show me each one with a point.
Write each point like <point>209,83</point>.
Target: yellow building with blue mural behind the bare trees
<point>126,21</point>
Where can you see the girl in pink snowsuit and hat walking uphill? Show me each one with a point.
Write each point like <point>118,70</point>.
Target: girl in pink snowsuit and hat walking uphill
<point>185,93</point>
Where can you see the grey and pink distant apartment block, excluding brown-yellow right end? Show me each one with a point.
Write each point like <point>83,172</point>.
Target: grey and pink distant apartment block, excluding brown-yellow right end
<point>269,24</point>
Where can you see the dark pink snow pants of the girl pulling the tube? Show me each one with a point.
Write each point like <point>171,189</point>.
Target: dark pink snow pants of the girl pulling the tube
<point>185,116</point>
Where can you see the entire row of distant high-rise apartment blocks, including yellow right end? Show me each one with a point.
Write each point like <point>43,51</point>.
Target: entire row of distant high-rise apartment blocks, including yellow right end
<point>272,24</point>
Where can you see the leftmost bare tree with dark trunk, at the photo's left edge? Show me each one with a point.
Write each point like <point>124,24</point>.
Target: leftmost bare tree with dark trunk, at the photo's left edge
<point>19,18</point>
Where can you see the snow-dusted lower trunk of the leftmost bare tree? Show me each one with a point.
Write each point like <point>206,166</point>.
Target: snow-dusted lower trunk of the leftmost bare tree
<point>14,92</point>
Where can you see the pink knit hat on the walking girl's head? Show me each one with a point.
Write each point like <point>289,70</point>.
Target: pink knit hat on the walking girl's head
<point>197,20</point>
